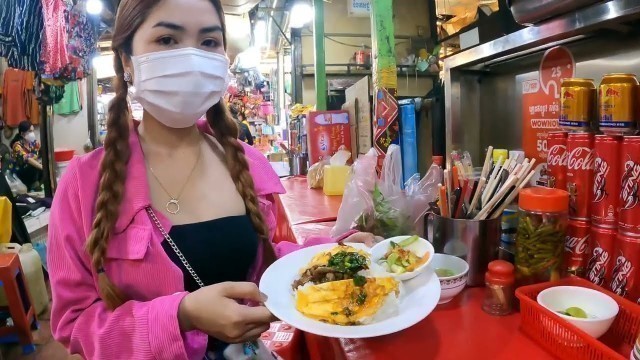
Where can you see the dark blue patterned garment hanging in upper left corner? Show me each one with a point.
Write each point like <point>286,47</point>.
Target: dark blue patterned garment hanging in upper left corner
<point>21,24</point>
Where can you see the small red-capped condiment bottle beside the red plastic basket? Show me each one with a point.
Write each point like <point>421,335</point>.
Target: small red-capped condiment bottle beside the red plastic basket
<point>499,281</point>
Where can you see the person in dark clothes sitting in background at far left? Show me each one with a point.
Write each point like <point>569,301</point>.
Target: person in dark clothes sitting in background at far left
<point>26,164</point>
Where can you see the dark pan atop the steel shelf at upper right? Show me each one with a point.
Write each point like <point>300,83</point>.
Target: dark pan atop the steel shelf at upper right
<point>533,11</point>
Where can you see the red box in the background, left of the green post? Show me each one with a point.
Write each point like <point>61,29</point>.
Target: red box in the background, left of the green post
<point>327,131</point>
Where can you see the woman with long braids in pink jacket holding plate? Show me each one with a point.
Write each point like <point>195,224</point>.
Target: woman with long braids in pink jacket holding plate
<point>152,256</point>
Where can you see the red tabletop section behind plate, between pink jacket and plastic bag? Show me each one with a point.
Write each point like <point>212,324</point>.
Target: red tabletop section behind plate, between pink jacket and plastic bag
<point>301,205</point>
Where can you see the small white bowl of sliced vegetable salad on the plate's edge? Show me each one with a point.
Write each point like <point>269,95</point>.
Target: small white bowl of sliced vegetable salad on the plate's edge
<point>404,257</point>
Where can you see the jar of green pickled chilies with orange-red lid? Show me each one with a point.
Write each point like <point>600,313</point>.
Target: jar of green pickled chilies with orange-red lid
<point>542,223</point>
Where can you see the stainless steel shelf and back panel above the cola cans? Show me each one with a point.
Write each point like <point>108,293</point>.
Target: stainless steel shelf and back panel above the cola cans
<point>483,84</point>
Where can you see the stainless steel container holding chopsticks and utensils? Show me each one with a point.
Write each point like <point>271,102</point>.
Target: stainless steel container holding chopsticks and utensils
<point>475,241</point>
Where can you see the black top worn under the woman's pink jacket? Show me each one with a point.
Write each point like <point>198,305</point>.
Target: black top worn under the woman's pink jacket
<point>200,245</point>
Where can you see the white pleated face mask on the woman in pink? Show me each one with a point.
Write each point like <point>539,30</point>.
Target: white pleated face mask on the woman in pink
<point>178,86</point>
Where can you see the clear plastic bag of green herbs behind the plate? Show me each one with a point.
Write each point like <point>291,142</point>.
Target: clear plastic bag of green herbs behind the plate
<point>382,207</point>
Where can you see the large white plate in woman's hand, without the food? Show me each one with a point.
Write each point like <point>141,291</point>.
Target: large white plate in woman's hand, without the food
<point>419,297</point>
